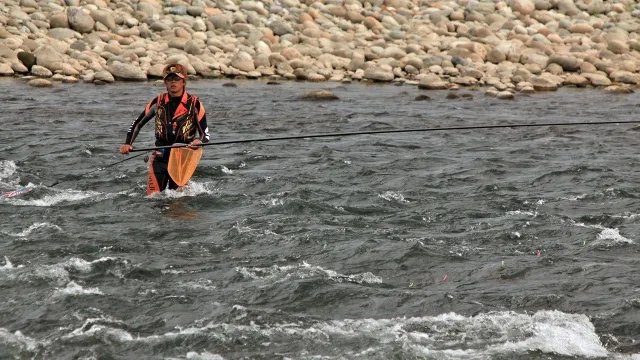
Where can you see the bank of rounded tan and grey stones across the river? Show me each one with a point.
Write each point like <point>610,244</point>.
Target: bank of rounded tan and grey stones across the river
<point>508,46</point>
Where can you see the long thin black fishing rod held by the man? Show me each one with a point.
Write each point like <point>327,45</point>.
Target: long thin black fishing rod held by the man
<point>374,132</point>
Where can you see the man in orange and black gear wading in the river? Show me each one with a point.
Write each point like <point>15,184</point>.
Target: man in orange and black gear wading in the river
<point>179,118</point>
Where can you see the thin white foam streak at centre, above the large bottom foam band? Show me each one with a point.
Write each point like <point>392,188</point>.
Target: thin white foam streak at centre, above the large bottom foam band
<point>277,274</point>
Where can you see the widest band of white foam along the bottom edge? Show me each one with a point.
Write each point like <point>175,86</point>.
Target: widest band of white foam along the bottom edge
<point>448,336</point>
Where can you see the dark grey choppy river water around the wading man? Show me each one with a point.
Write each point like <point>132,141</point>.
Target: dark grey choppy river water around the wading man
<point>513,243</point>
